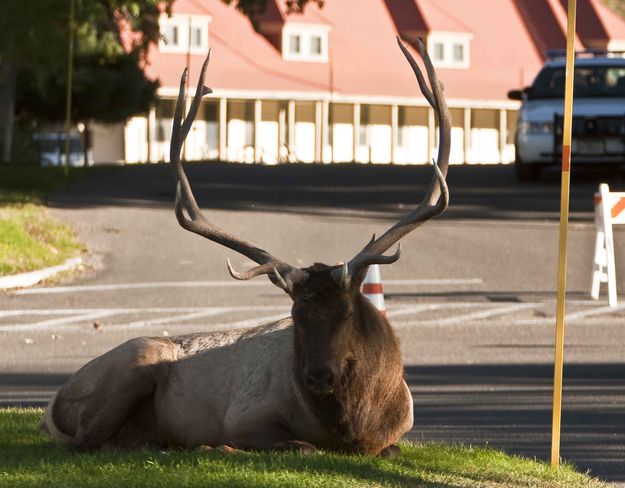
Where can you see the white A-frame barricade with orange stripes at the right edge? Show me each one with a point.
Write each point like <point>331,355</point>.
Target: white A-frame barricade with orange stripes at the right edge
<point>609,211</point>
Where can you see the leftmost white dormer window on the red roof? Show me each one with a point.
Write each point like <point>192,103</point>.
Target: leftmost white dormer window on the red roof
<point>184,33</point>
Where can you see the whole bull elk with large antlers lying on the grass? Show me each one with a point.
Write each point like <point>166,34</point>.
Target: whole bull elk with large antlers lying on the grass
<point>330,376</point>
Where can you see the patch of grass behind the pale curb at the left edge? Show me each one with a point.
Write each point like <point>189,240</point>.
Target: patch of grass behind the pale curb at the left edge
<point>29,237</point>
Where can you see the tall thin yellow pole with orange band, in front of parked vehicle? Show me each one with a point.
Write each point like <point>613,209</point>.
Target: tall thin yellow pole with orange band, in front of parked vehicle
<point>564,221</point>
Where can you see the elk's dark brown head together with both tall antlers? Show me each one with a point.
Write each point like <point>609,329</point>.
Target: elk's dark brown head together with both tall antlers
<point>334,323</point>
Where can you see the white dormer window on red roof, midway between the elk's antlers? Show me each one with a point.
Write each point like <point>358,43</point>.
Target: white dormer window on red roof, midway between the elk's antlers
<point>305,42</point>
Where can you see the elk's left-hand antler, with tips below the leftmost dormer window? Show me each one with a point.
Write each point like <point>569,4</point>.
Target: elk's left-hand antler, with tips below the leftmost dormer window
<point>280,273</point>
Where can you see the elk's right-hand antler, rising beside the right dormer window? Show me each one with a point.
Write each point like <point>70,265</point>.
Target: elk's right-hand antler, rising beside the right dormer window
<point>436,199</point>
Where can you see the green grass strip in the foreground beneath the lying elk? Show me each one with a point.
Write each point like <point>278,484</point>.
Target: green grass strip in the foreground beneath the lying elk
<point>29,459</point>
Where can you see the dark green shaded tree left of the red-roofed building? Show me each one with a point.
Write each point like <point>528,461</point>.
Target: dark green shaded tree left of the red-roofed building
<point>109,84</point>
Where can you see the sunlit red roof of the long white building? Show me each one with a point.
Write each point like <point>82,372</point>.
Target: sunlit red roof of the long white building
<point>364,57</point>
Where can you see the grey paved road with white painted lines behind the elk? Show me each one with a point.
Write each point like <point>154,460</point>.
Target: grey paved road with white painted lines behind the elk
<point>472,298</point>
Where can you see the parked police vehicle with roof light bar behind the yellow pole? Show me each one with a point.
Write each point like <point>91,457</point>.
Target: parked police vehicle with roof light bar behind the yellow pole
<point>598,113</point>
